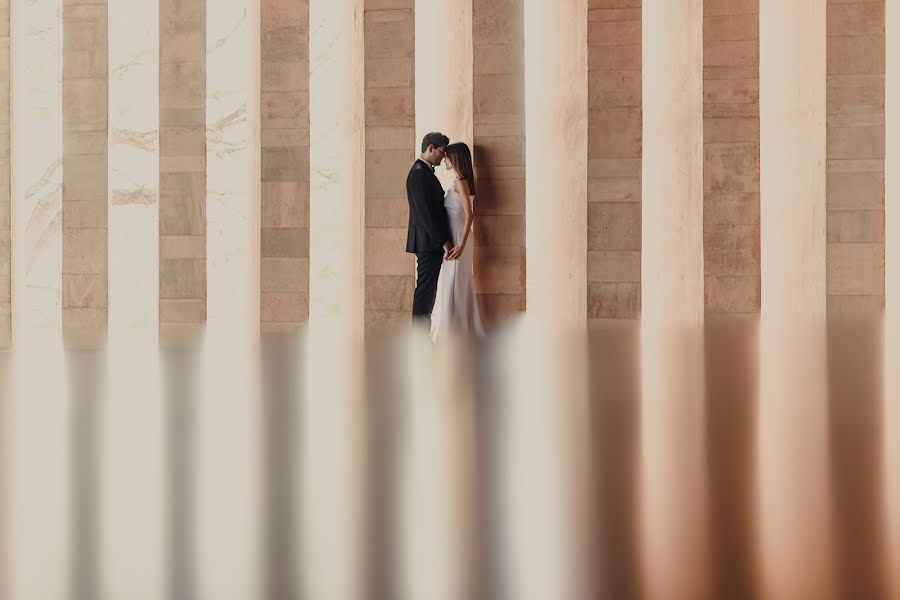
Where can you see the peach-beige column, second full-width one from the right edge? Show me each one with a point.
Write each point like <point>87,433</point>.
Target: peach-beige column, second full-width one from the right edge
<point>673,477</point>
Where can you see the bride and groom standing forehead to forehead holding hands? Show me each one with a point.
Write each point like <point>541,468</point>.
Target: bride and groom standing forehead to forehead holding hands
<point>440,227</point>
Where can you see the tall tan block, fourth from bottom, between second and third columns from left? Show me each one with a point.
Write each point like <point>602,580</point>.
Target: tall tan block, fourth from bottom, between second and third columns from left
<point>182,204</point>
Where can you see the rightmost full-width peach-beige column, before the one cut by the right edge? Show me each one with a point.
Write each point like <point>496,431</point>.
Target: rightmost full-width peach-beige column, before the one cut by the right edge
<point>792,460</point>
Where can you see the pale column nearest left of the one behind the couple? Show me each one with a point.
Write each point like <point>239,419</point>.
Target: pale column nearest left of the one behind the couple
<point>332,433</point>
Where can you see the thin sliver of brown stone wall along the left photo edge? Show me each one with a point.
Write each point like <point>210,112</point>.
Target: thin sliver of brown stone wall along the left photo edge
<point>5,176</point>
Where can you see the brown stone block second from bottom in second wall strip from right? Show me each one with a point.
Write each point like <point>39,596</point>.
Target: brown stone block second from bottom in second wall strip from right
<point>732,250</point>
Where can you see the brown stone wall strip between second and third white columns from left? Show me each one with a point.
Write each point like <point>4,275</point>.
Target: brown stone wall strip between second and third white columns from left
<point>182,165</point>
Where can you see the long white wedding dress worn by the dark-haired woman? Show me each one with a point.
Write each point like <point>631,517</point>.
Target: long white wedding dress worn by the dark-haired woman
<point>458,308</point>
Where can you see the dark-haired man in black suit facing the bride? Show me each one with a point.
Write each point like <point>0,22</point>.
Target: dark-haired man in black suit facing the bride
<point>429,232</point>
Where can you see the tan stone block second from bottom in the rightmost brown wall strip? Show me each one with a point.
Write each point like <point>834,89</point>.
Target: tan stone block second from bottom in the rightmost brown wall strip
<point>855,269</point>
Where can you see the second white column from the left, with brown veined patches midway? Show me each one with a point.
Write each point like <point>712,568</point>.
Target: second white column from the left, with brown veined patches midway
<point>133,541</point>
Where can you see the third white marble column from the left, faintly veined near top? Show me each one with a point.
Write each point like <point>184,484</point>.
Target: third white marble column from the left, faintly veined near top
<point>229,475</point>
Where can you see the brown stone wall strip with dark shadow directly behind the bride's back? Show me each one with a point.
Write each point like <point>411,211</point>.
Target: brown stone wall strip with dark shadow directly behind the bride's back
<point>499,154</point>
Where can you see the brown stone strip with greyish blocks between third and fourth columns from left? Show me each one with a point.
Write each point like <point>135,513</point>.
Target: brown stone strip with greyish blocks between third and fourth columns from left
<point>284,266</point>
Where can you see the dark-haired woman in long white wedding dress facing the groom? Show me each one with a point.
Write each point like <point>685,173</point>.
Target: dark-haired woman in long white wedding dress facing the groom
<point>459,308</point>
